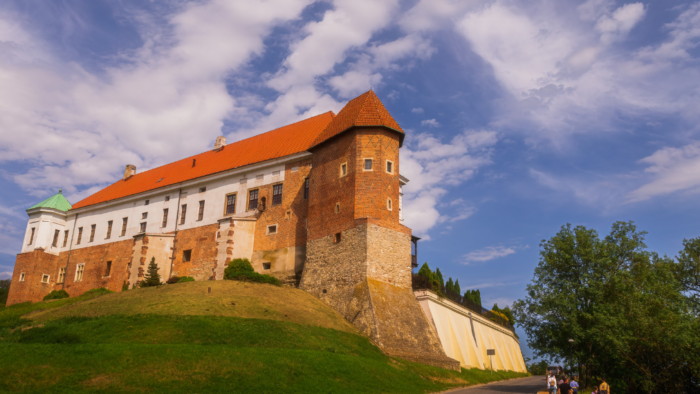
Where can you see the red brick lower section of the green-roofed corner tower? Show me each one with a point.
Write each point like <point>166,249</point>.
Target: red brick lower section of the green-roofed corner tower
<point>34,265</point>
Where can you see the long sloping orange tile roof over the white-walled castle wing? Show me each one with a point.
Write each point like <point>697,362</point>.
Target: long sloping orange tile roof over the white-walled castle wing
<point>285,141</point>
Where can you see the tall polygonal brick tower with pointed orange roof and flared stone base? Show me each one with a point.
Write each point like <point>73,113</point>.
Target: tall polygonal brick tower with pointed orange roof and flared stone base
<point>358,254</point>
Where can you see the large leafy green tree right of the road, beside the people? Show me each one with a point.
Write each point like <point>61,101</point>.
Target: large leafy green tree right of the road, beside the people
<point>620,303</point>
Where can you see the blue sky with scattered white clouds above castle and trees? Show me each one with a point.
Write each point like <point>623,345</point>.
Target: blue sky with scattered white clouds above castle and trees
<point>520,117</point>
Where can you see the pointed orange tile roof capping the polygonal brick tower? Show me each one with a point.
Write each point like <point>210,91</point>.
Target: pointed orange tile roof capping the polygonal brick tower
<point>364,110</point>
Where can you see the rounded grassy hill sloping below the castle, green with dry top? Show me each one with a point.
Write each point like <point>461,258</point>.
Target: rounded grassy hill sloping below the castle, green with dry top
<point>241,337</point>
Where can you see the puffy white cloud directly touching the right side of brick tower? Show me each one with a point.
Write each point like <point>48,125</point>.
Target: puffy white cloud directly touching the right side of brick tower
<point>432,167</point>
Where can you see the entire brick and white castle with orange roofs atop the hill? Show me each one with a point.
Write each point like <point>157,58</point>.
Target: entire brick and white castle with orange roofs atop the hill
<point>316,203</point>
